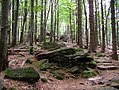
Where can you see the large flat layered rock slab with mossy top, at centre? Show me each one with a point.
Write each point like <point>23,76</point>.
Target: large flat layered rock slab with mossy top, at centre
<point>66,55</point>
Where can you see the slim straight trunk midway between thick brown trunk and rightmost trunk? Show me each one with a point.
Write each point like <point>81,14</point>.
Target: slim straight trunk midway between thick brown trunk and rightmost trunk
<point>103,31</point>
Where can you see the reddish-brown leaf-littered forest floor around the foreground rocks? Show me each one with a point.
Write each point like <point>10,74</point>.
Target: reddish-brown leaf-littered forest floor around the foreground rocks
<point>17,59</point>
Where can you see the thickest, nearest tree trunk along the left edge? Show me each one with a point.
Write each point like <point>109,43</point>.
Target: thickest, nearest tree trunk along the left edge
<point>3,39</point>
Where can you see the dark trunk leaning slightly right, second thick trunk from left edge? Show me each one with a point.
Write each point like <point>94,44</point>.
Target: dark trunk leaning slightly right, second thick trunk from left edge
<point>14,41</point>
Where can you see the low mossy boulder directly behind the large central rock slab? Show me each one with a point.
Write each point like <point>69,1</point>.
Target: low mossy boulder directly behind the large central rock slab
<point>51,46</point>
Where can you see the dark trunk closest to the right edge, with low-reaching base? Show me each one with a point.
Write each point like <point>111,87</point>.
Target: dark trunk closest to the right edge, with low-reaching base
<point>114,47</point>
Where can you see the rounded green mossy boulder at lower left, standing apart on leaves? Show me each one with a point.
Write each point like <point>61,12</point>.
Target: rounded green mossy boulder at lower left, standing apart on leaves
<point>28,74</point>
